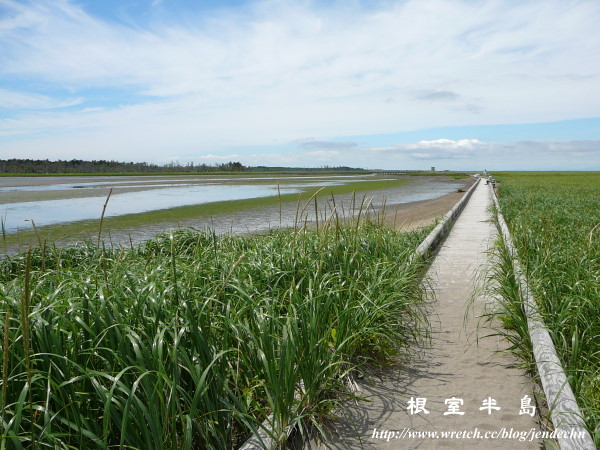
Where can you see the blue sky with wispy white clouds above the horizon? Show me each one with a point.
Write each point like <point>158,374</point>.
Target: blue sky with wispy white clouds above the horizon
<point>378,84</point>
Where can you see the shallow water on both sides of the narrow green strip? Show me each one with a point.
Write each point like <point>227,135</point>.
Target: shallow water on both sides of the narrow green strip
<point>153,193</point>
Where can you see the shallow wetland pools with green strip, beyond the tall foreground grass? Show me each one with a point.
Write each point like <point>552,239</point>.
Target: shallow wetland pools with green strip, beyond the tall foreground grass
<point>66,204</point>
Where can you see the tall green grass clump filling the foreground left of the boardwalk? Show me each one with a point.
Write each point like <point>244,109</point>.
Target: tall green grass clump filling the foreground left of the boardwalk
<point>193,340</point>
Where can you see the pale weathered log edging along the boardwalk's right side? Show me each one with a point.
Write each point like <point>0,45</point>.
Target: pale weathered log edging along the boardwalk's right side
<point>564,411</point>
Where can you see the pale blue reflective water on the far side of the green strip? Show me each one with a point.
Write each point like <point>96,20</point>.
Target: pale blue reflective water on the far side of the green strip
<point>162,194</point>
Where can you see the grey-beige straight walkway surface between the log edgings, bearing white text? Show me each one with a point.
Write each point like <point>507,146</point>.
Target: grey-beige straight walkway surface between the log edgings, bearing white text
<point>461,368</point>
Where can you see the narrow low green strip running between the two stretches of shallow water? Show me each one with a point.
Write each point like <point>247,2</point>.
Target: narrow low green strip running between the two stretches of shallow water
<point>87,229</point>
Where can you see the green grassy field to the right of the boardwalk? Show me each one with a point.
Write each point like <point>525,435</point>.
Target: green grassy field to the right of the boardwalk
<point>554,219</point>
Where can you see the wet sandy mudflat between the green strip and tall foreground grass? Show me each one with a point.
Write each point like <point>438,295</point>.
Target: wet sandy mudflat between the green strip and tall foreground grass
<point>399,213</point>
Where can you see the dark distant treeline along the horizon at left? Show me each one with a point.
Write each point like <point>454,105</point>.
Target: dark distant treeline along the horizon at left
<point>78,166</point>
